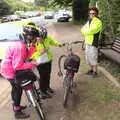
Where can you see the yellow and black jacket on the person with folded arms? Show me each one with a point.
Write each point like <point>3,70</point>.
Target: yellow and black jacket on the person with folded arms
<point>91,31</point>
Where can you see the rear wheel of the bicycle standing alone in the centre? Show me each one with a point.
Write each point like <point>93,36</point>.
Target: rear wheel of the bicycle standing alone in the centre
<point>67,90</point>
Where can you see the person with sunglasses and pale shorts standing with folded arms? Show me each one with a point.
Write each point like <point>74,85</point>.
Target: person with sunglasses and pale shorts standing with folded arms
<point>91,31</point>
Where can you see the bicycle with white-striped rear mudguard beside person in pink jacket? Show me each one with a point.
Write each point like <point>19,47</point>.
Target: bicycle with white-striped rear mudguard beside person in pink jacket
<point>33,94</point>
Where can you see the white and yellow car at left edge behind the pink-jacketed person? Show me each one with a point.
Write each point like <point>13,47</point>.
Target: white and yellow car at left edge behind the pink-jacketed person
<point>8,32</point>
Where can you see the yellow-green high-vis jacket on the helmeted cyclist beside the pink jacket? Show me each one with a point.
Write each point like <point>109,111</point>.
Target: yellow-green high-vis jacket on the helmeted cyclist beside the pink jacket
<point>46,44</point>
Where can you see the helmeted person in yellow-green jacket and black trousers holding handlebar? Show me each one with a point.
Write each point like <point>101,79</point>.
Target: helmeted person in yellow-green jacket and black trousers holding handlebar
<point>43,54</point>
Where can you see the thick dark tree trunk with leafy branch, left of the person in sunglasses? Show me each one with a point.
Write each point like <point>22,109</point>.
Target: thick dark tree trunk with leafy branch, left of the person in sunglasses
<point>79,8</point>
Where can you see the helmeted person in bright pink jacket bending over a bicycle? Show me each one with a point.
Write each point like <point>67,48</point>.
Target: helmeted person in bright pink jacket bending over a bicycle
<point>14,62</point>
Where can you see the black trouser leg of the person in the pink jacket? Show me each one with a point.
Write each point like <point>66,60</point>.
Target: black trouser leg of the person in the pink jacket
<point>16,93</point>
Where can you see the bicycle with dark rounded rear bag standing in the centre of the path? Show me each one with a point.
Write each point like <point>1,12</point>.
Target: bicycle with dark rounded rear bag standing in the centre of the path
<point>71,66</point>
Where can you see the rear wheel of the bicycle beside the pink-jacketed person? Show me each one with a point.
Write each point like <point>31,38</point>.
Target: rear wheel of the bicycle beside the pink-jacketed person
<point>31,94</point>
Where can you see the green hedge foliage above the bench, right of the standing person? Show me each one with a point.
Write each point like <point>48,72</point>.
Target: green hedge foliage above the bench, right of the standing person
<point>109,12</point>
